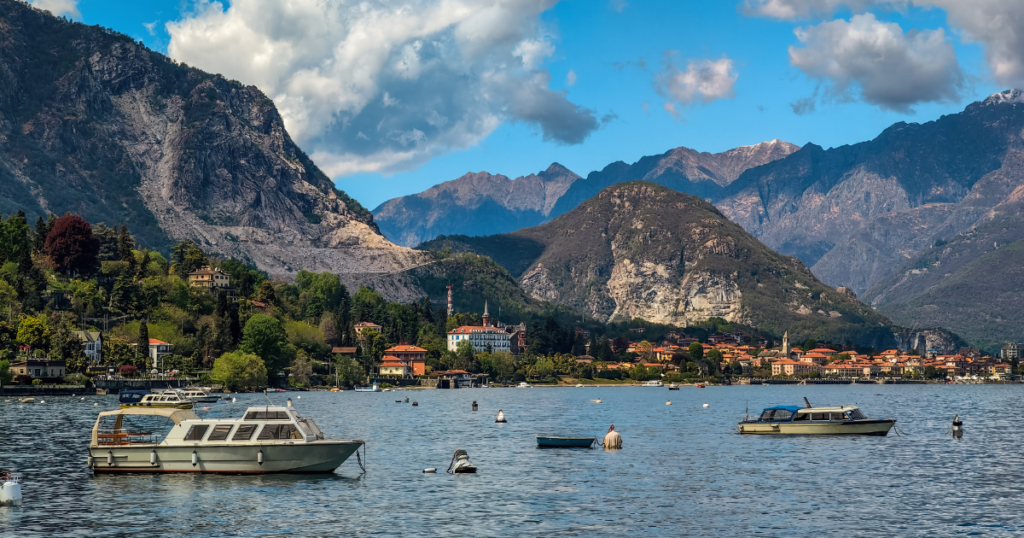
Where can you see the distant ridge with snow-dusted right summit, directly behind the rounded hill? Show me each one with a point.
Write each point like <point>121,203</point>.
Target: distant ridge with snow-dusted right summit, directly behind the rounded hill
<point>702,175</point>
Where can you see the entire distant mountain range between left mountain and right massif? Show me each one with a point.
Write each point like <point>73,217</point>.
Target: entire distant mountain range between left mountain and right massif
<point>482,204</point>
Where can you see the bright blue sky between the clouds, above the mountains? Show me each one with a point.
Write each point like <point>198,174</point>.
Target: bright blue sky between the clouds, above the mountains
<point>604,47</point>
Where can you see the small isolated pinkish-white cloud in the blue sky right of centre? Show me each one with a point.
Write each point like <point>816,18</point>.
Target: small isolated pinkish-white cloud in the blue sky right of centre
<point>704,80</point>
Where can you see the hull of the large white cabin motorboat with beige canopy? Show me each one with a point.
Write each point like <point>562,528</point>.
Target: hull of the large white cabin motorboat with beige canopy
<point>316,458</point>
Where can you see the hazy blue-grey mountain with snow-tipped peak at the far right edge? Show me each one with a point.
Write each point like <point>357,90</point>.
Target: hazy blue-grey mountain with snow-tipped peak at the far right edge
<point>857,214</point>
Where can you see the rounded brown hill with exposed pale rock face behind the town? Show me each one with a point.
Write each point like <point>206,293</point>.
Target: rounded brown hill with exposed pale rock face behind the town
<point>642,251</point>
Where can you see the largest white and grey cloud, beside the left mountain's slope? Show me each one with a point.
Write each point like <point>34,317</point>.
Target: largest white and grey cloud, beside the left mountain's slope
<point>387,86</point>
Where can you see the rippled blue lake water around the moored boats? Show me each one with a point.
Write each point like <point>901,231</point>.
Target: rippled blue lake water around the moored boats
<point>684,470</point>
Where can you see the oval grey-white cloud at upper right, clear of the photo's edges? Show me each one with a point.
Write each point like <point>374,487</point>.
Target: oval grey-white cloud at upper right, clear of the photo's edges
<point>891,69</point>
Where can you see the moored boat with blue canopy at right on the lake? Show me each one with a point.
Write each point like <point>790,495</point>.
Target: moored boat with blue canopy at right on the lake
<point>842,421</point>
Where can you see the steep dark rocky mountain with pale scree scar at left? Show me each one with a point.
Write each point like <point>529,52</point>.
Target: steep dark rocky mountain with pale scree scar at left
<point>95,123</point>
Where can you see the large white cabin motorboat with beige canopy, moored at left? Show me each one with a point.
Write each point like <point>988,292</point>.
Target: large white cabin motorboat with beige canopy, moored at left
<point>265,440</point>
